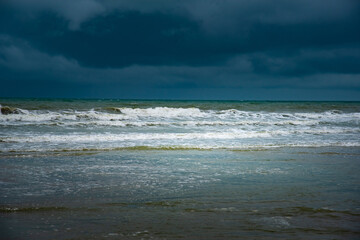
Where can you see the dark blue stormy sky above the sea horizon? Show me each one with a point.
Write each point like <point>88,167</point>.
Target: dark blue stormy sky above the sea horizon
<point>181,49</point>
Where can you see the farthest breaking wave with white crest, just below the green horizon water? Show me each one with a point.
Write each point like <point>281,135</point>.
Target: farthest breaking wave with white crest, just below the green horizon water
<point>179,116</point>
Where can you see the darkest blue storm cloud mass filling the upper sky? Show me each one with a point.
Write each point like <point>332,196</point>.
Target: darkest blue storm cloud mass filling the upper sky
<point>209,33</point>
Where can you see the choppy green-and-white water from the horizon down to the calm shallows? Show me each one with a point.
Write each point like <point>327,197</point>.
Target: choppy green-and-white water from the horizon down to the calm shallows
<point>69,125</point>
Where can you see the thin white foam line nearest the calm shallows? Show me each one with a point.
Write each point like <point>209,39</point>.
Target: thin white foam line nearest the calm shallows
<point>132,136</point>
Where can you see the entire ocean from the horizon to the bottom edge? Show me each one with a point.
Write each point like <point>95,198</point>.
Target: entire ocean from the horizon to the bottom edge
<point>131,169</point>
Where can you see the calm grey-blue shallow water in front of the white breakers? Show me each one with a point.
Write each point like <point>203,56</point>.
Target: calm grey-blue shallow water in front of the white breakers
<point>297,193</point>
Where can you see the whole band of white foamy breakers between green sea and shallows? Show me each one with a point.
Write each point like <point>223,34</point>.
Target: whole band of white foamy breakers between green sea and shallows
<point>164,126</point>
